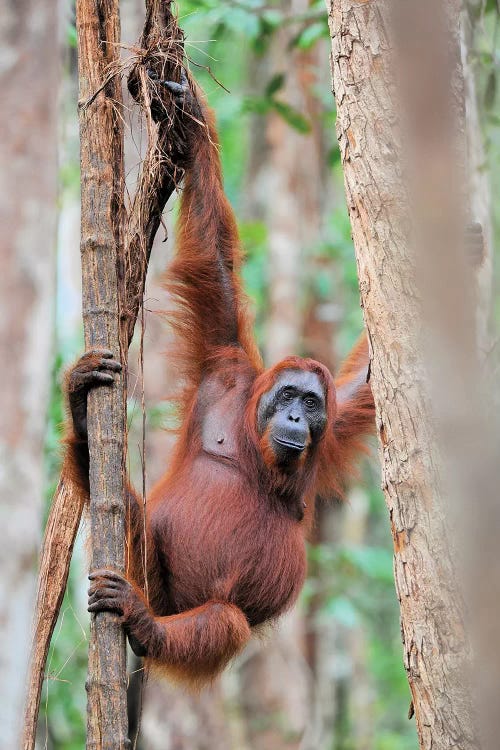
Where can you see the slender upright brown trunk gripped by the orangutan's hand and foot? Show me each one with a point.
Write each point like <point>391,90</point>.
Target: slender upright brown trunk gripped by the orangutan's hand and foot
<point>101,156</point>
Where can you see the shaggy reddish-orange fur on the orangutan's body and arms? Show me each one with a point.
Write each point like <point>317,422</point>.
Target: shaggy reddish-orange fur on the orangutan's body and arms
<point>225,525</point>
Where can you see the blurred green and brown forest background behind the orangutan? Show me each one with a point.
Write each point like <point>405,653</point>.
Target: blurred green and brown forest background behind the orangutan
<point>330,676</point>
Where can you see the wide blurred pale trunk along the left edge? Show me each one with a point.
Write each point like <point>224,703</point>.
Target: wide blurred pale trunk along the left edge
<point>28,186</point>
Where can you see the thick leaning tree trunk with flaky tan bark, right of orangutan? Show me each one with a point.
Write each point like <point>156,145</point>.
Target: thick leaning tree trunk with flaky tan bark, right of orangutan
<point>434,641</point>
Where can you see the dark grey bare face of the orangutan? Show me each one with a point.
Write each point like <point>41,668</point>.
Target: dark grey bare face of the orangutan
<point>293,412</point>
